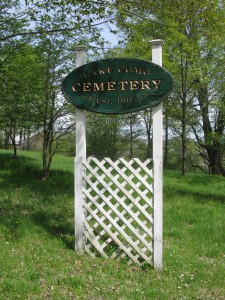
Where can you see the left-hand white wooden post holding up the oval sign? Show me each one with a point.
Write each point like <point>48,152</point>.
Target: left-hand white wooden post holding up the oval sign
<point>80,156</point>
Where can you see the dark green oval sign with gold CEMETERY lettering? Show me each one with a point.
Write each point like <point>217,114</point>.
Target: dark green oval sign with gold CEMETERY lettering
<point>117,85</point>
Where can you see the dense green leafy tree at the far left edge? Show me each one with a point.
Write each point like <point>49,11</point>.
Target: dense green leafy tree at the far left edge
<point>17,93</point>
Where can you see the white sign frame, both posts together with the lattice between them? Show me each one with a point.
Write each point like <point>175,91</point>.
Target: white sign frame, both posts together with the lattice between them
<point>115,215</point>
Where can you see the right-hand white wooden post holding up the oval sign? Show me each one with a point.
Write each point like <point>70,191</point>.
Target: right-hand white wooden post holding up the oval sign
<point>157,167</point>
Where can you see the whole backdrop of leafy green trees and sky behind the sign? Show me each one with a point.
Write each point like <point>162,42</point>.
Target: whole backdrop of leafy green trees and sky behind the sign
<point>38,39</point>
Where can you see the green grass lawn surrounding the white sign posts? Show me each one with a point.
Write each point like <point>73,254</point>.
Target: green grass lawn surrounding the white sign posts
<point>37,259</point>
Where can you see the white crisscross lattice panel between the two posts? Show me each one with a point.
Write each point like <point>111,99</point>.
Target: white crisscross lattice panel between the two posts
<point>118,209</point>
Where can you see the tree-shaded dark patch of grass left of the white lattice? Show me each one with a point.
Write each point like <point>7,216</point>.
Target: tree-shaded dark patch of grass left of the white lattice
<point>48,204</point>
